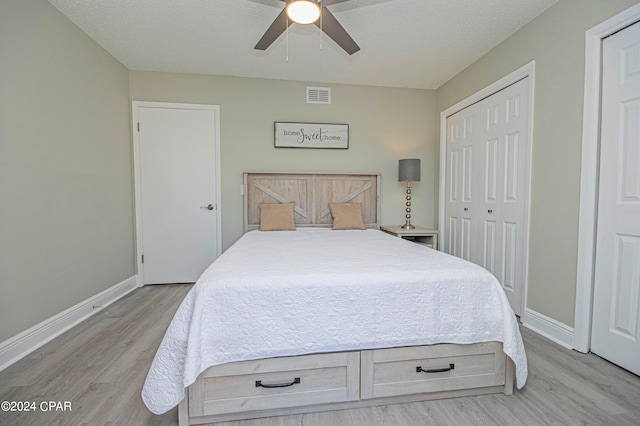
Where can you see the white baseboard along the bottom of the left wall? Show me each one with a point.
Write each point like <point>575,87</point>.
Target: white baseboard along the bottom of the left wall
<point>20,345</point>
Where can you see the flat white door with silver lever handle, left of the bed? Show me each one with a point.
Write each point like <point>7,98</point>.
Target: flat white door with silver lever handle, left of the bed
<point>177,201</point>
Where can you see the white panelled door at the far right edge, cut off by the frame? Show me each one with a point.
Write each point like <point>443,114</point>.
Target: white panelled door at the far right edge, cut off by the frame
<point>615,331</point>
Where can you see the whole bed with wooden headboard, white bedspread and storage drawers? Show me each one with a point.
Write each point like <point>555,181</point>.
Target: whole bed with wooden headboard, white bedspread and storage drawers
<point>312,319</point>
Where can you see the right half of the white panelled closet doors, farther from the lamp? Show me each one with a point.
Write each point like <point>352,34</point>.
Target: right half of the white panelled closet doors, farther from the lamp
<point>503,192</point>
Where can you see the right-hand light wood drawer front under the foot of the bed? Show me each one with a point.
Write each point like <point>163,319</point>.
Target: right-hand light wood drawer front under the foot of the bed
<point>390,372</point>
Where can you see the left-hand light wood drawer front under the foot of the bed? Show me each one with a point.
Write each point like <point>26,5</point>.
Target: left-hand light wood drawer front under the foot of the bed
<point>276,383</point>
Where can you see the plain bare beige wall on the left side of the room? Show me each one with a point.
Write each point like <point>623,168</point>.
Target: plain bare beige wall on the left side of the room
<point>66,221</point>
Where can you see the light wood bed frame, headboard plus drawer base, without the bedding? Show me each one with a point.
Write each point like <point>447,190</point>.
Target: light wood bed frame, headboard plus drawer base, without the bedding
<point>338,380</point>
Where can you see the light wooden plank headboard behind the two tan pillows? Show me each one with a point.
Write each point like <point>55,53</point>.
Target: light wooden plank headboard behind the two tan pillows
<point>312,193</point>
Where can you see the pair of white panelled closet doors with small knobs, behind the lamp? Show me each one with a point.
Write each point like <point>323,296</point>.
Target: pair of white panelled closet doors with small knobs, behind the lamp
<point>486,187</point>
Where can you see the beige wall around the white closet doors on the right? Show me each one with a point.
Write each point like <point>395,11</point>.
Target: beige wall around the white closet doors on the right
<point>555,40</point>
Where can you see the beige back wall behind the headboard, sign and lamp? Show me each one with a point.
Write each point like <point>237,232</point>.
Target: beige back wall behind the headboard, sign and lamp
<point>385,125</point>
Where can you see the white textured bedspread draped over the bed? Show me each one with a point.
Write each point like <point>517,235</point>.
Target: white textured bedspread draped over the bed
<point>316,290</point>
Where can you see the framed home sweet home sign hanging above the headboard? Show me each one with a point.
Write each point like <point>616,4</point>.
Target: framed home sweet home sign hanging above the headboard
<point>311,135</point>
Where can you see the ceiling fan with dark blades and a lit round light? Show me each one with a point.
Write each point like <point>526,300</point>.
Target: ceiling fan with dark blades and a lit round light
<point>327,23</point>
